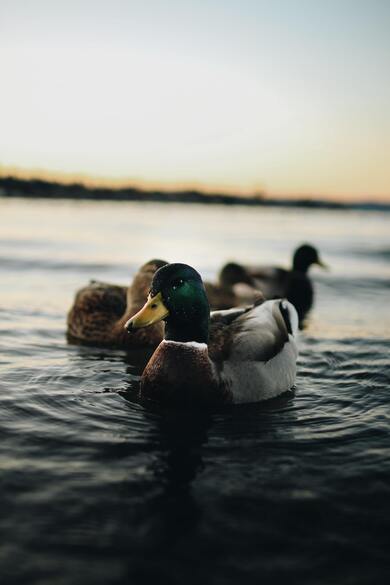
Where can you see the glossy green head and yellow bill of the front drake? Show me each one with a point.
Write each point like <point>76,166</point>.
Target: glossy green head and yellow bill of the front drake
<point>178,297</point>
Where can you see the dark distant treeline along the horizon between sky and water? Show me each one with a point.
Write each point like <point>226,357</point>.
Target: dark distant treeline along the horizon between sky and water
<point>39,188</point>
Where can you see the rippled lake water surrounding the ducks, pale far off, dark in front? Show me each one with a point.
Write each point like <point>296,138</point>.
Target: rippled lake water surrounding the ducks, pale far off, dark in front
<point>98,488</point>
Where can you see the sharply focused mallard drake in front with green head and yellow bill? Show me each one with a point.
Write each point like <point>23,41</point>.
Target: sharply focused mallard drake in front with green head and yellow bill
<point>238,355</point>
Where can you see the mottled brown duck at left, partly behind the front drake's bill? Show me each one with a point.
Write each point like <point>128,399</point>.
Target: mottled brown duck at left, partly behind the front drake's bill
<point>100,311</point>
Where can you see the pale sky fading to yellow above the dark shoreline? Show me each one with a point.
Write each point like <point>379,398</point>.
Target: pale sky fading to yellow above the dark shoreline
<point>289,97</point>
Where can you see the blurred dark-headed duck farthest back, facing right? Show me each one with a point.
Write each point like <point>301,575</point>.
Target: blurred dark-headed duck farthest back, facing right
<point>294,284</point>
